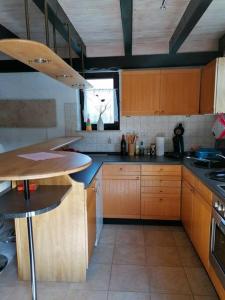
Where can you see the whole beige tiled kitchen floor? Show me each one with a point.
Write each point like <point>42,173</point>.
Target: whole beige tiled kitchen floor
<point>130,263</point>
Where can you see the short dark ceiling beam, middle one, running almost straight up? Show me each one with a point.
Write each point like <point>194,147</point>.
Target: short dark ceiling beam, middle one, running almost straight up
<point>126,8</point>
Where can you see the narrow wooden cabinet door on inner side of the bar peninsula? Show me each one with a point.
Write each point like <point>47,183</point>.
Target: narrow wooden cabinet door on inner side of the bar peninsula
<point>91,219</point>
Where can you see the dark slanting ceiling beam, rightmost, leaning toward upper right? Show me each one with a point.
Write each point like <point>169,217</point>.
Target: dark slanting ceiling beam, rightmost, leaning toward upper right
<point>190,18</point>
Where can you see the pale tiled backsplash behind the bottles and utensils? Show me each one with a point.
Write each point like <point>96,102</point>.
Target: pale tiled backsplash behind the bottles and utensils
<point>197,132</point>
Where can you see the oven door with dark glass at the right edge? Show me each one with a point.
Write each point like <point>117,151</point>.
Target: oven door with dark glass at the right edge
<point>217,253</point>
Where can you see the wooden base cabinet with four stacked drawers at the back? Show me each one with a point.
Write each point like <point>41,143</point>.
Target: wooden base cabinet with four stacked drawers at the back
<point>160,192</point>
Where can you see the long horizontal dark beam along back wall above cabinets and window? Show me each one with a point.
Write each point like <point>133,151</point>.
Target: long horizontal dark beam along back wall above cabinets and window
<point>115,63</point>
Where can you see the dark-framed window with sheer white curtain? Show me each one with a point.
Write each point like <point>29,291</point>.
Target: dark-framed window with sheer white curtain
<point>102,99</point>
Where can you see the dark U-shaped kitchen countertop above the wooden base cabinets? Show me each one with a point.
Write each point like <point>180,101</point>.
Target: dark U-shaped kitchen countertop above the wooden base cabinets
<point>86,176</point>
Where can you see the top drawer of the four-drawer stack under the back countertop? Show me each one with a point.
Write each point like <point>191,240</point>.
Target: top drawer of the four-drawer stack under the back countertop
<point>173,170</point>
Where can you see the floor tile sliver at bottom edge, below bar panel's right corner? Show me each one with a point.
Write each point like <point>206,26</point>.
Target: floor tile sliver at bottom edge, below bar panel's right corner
<point>86,295</point>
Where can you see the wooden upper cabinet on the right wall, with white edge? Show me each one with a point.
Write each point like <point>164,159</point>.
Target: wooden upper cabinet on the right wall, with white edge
<point>213,87</point>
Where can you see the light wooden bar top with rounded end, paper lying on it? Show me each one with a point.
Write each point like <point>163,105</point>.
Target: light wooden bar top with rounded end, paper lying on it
<point>13,167</point>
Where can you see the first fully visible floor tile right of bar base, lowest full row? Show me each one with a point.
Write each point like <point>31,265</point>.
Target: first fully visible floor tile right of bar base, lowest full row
<point>127,278</point>
